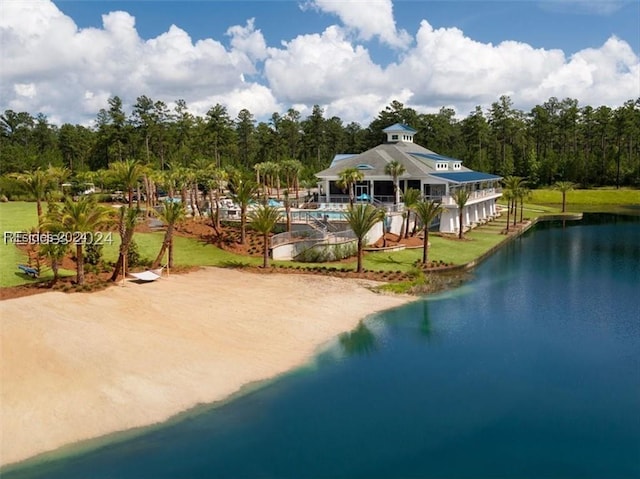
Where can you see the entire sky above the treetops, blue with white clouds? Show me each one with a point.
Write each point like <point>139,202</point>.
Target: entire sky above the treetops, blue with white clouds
<point>350,57</point>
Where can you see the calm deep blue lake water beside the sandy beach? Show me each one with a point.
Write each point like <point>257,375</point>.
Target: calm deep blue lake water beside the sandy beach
<point>529,370</point>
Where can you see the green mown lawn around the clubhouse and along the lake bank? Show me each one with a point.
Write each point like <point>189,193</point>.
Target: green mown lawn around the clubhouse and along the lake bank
<point>21,216</point>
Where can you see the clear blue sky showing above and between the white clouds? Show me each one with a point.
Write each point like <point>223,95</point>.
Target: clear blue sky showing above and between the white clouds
<point>564,24</point>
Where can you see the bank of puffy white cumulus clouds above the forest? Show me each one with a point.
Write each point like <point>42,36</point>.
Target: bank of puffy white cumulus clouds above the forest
<point>50,65</point>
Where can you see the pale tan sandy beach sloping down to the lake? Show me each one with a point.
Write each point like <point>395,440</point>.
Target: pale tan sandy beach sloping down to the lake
<point>79,366</point>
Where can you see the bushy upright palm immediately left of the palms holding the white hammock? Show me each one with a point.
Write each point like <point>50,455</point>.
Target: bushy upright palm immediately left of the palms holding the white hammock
<point>83,216</point>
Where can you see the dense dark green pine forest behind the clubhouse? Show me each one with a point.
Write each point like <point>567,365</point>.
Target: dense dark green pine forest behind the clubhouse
<point>555,141</point>
